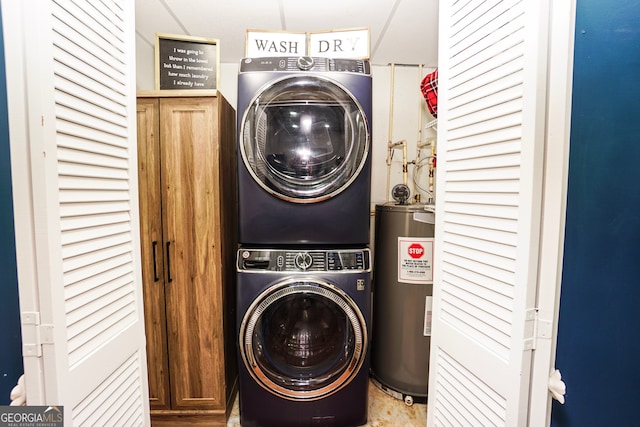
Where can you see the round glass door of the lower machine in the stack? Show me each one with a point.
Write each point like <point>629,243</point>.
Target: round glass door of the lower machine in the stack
<point>303,339</point>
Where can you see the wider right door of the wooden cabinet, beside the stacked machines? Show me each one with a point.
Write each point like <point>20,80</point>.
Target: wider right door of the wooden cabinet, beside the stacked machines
<point>189,147</point>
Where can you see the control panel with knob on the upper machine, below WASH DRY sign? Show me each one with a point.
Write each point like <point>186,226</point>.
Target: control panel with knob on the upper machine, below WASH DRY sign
<point>305,63</point>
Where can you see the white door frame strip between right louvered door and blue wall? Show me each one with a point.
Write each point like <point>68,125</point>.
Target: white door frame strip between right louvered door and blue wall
<point>559,90</point>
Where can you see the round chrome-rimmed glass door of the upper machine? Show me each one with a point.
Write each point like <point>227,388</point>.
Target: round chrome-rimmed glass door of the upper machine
<point>304,138</point>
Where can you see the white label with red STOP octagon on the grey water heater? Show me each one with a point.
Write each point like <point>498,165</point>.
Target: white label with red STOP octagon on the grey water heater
<point>415,260</point>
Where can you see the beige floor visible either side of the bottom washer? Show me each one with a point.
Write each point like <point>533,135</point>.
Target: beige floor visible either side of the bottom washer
<point>384,411</point>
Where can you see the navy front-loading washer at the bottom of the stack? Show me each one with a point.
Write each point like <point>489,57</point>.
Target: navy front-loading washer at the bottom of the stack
<point>303,321</point>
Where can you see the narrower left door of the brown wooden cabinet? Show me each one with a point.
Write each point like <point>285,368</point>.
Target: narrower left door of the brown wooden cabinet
<point>152,255</point>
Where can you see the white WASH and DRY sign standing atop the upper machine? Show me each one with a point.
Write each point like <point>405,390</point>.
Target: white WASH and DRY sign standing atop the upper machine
<point>350,43</point>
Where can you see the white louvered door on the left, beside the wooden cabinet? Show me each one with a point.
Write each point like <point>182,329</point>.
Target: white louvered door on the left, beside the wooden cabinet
<point>73,143</point>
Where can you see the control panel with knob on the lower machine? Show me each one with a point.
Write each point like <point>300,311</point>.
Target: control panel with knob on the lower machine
<point>345,260</point>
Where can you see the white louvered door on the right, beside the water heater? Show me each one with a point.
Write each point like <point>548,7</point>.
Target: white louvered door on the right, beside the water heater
<point>491,115</point>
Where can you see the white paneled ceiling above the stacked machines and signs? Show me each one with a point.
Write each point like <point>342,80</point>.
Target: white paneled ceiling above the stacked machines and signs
<point>402,31</point>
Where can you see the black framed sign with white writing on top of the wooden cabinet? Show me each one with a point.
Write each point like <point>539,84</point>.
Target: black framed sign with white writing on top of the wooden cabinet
<point>186,63</point>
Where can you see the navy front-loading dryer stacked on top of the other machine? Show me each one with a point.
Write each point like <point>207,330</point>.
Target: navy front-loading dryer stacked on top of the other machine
<point>304,144</point>
